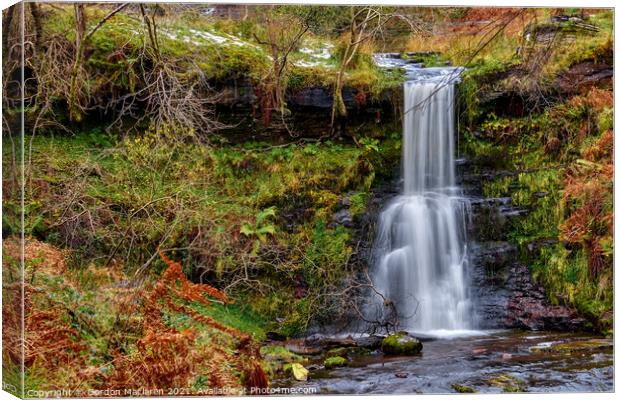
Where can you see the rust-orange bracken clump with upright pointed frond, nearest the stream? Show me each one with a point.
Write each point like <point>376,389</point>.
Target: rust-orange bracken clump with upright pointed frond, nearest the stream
<point>168,358</point>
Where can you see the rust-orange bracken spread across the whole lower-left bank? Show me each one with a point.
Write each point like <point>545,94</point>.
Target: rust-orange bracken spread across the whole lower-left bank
<point>164,357</point>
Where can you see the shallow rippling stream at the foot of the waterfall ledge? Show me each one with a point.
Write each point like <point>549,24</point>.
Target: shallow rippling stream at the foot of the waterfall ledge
<point>494,362</point>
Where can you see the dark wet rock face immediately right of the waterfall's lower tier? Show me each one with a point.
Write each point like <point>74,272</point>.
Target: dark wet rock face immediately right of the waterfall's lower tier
<point>505,294</point>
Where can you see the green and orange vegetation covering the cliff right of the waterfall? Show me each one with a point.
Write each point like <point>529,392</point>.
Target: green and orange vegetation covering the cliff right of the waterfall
<point>552,132</point>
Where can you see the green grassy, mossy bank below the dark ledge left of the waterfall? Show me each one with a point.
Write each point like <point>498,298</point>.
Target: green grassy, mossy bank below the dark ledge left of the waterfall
<point>130,196</point>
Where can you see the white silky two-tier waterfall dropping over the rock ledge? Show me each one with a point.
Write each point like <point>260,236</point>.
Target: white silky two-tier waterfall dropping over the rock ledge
<point>420,255</point>
